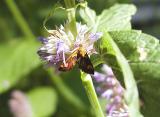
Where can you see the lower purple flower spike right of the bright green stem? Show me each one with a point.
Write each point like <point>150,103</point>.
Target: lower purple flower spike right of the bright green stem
<point>110,89</point>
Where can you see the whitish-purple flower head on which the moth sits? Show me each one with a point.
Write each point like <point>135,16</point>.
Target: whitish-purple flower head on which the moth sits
<point>60,43</point>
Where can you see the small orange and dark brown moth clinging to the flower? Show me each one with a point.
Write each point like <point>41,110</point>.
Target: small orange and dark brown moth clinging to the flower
<point>80,57</point>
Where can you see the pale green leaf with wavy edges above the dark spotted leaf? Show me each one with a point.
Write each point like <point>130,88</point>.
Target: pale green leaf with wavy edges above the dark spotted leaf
<point>113,19</point>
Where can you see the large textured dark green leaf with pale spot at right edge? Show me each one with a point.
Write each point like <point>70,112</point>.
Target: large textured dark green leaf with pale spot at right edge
<point>143,52</point>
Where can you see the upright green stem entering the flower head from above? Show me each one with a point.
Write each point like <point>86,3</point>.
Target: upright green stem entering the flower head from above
<point>71,10</point>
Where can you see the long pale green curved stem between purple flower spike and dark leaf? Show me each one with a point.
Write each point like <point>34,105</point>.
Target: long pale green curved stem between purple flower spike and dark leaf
<point>131,94</point>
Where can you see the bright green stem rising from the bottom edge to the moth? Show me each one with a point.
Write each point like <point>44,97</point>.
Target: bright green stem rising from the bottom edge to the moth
<point>88,85</point>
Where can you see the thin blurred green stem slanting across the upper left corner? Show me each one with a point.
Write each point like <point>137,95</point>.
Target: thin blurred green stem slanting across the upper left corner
<point>19,18</point>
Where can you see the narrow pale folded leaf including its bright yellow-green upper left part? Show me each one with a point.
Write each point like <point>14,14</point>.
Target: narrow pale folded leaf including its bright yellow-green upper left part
<point>108,46</point>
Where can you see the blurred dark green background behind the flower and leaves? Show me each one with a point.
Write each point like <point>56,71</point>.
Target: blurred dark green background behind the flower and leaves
<point>22,73</point>
